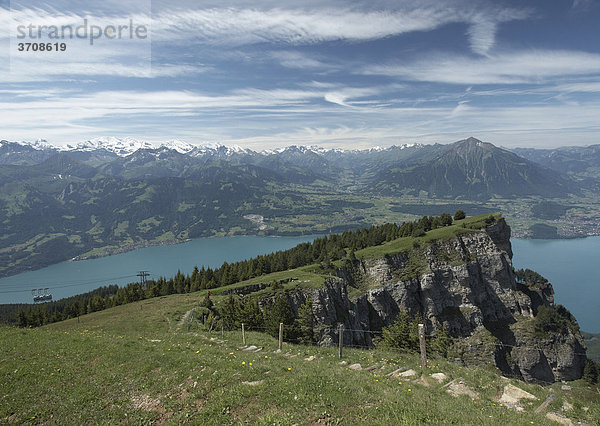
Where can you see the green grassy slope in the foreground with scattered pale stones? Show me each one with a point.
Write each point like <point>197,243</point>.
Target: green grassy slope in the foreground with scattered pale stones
<point>135,363</point>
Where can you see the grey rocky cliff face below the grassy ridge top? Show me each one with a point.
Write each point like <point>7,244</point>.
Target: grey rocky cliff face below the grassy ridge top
<point>465,283</point>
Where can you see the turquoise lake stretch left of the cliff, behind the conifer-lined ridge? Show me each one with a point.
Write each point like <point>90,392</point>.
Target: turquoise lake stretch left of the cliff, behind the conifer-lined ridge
<point>70,278</point>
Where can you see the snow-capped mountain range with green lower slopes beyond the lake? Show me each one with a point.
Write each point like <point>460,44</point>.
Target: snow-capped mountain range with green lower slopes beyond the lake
<point>109,195</point>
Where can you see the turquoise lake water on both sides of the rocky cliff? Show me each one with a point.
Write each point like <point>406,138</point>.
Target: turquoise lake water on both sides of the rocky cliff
<point>570,265</point>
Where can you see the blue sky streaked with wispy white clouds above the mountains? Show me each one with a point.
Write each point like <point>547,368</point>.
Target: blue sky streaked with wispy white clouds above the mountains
<point>266,74</point>
